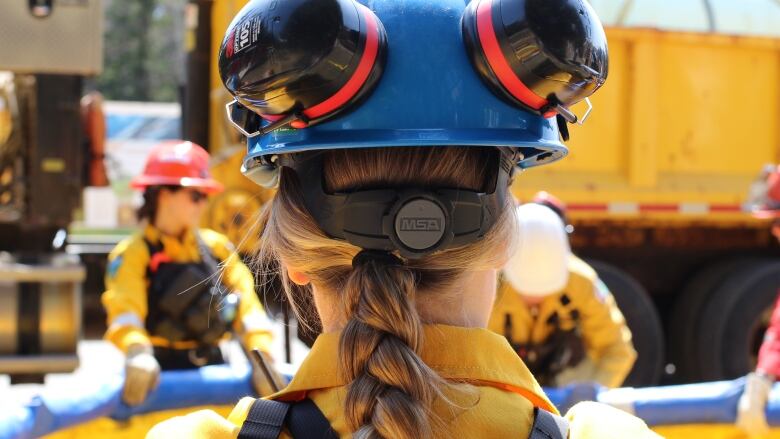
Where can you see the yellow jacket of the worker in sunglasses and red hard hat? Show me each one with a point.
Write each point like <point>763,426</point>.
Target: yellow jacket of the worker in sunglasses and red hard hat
<point>125,297</point>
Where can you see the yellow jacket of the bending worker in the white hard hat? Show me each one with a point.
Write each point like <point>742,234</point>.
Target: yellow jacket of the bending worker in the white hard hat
<point>606,337</point>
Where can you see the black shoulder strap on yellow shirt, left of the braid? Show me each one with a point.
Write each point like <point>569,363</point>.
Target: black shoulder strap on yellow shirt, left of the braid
<point>266,420</point>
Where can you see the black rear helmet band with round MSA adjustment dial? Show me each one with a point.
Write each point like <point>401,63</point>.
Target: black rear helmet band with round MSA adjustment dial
<point>413,221</point>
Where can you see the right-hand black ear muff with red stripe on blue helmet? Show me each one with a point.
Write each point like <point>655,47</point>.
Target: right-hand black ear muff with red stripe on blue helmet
<point>541,55</point>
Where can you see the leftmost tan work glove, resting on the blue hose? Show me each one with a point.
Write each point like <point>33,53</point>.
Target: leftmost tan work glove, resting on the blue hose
<point>142,374</point>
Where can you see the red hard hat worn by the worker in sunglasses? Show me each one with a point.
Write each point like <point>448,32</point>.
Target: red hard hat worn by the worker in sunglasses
<point>177,163</point>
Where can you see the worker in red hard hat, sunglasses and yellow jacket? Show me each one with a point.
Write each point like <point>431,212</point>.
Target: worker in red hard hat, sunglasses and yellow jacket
<point>174,291</point>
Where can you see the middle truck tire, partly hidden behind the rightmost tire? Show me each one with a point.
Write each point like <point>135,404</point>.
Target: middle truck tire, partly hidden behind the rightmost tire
<point>683,341</point>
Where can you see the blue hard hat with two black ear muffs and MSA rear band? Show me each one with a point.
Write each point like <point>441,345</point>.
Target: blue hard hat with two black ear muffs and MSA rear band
<point>336,74</point>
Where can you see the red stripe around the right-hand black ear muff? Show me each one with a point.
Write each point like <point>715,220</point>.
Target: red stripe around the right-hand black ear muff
<point>497,62</point>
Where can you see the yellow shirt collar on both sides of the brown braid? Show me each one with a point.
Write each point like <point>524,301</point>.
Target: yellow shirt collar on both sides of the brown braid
<point>473,355</point>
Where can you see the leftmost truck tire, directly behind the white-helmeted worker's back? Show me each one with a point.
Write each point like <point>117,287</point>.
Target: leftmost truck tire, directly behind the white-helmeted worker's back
<point>642,319</point>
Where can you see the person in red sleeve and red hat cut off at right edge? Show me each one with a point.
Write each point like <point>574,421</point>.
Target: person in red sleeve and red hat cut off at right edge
<point>751,416</point>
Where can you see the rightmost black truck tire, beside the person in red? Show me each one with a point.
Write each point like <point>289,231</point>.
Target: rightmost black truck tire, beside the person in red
<point>730,328</point>
